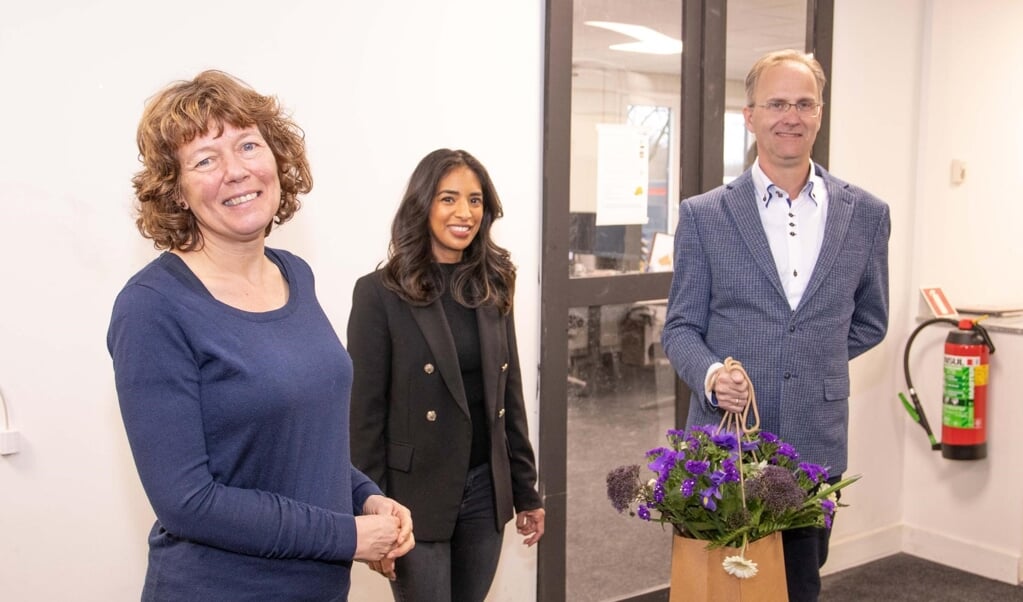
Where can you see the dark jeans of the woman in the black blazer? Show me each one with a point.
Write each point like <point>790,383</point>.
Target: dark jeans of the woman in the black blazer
<point>464,569</point>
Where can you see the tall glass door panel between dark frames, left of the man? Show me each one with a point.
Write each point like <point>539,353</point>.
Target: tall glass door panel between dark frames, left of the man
<point>627,66</point>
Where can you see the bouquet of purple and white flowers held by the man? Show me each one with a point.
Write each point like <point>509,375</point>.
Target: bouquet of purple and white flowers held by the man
<point>727,488</point>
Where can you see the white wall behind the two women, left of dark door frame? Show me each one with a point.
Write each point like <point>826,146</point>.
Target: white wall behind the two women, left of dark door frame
<point>376,85</point>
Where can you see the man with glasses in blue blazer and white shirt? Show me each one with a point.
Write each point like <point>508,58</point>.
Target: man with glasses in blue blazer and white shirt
<point>786,271</point>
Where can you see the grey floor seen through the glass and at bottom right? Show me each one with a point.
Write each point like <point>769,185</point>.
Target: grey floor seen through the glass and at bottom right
<point>613,421</point>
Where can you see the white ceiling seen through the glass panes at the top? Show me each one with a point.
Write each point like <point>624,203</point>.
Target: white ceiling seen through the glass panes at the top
<point>754,27</point>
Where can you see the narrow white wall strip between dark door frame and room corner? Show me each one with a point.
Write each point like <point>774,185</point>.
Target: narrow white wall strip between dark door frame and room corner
<point>873,145</point>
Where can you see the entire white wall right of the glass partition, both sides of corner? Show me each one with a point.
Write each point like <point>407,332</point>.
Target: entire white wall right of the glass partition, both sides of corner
<point>915,85</point>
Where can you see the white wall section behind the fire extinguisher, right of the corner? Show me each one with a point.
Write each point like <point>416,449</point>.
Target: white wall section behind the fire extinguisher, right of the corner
<point>967,241</point>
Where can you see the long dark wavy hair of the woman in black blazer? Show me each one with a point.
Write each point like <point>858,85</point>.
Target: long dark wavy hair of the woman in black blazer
<point>485,276</point>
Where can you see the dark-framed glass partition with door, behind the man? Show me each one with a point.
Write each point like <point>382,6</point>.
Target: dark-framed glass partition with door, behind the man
<point>634,124</point>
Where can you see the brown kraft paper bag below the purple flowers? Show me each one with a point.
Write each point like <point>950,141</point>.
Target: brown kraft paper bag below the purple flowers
<point>697,575</point>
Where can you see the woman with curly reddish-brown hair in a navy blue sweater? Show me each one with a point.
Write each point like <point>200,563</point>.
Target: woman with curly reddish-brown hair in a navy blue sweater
<point>233,385</point>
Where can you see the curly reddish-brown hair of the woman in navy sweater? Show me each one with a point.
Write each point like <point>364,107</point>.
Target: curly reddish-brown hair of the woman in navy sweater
<point>185,110</point>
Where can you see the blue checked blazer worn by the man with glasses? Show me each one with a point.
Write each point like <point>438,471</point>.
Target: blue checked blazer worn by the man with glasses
<point>727,300</point>
